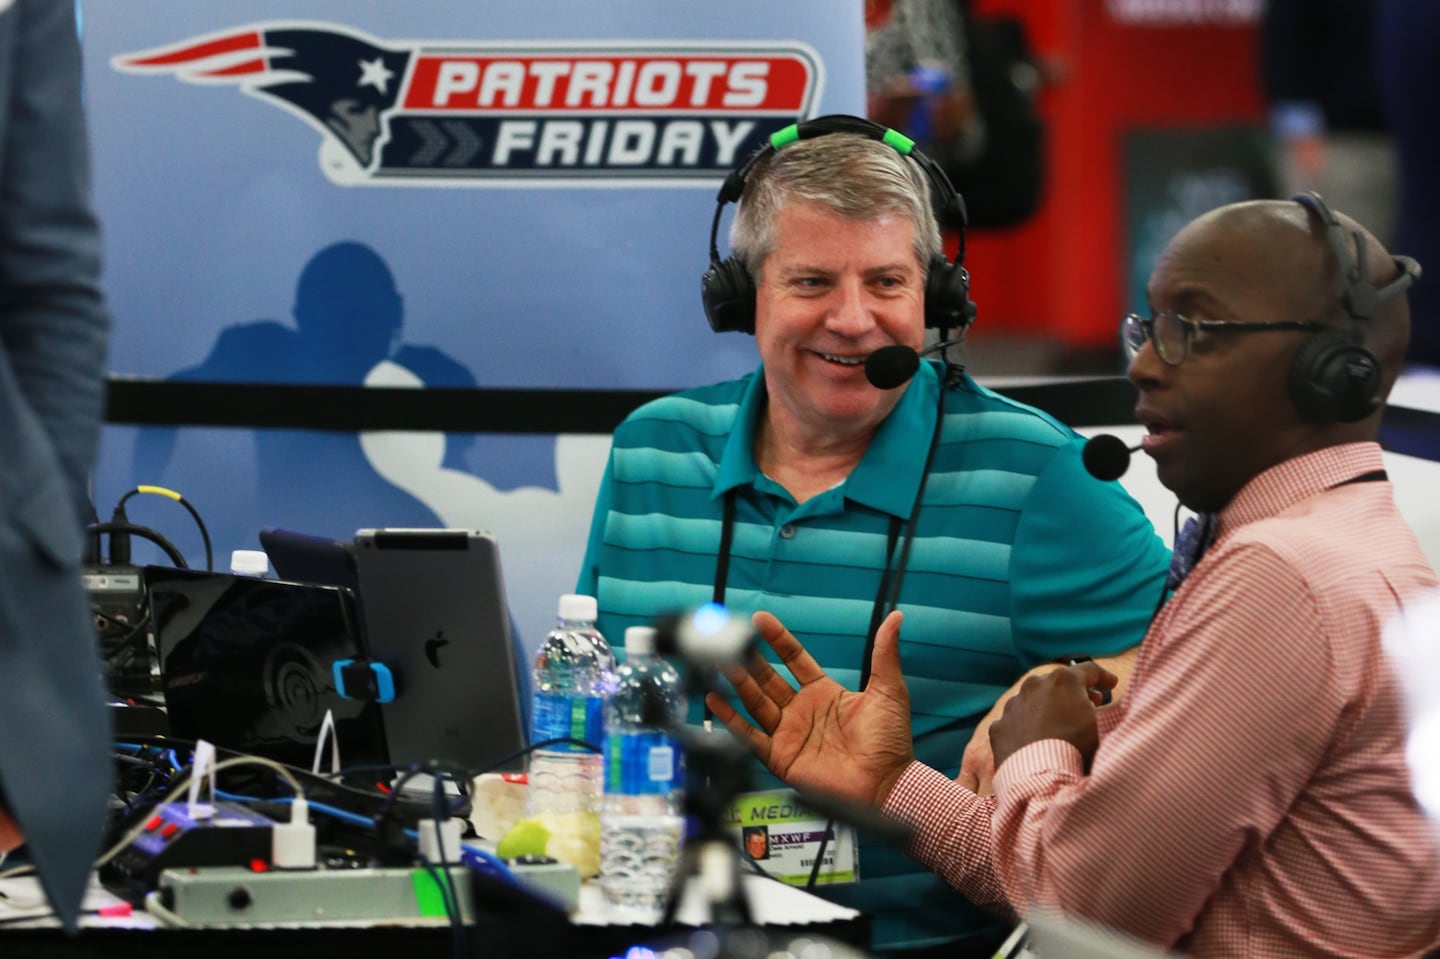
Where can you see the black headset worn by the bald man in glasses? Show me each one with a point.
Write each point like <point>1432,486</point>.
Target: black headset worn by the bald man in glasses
<point>1333,377</point>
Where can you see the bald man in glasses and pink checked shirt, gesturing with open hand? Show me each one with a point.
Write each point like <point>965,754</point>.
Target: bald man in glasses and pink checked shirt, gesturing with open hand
<point>1249,797</point>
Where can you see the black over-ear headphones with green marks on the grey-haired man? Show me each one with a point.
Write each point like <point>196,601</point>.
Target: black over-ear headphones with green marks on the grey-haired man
<point>728,290</point>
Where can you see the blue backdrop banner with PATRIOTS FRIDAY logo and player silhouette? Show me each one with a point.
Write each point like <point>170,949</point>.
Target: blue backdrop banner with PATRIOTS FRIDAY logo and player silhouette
<point>572,153</point>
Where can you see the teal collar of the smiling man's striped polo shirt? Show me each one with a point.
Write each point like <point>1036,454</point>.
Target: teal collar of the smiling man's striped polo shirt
<point>888,477</point>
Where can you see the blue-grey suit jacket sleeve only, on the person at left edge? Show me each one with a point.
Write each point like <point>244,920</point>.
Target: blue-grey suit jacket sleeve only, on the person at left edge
<point>53,320</point>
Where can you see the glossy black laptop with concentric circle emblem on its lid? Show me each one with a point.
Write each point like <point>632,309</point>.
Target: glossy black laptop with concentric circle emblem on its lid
<point>246,663</point>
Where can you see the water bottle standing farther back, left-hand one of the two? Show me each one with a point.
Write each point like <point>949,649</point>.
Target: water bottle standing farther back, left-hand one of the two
<point>575,675</point>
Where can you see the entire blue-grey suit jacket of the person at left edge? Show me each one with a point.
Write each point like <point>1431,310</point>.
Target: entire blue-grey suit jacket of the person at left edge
<point>55,765</point>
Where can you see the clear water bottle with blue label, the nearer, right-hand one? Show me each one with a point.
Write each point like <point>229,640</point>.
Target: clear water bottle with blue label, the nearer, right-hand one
<point>642,823</point>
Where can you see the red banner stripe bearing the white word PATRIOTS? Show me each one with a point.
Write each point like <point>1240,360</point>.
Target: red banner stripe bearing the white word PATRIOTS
<point>610,83</point>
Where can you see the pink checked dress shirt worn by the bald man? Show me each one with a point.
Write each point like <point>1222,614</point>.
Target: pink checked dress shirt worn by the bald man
<point>1251,794</point>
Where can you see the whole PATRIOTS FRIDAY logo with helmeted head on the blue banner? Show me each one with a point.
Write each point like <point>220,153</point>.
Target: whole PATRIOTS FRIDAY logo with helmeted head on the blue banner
<point>467,114</point>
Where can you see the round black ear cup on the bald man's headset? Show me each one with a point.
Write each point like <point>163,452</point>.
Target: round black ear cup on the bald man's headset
<point>1334,379</point>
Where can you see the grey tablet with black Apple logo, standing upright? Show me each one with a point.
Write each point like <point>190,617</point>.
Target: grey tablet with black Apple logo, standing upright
<point>436,613</point>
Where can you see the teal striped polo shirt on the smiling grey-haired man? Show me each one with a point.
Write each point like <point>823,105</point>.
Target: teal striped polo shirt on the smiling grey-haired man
<point>1019,557</point>
